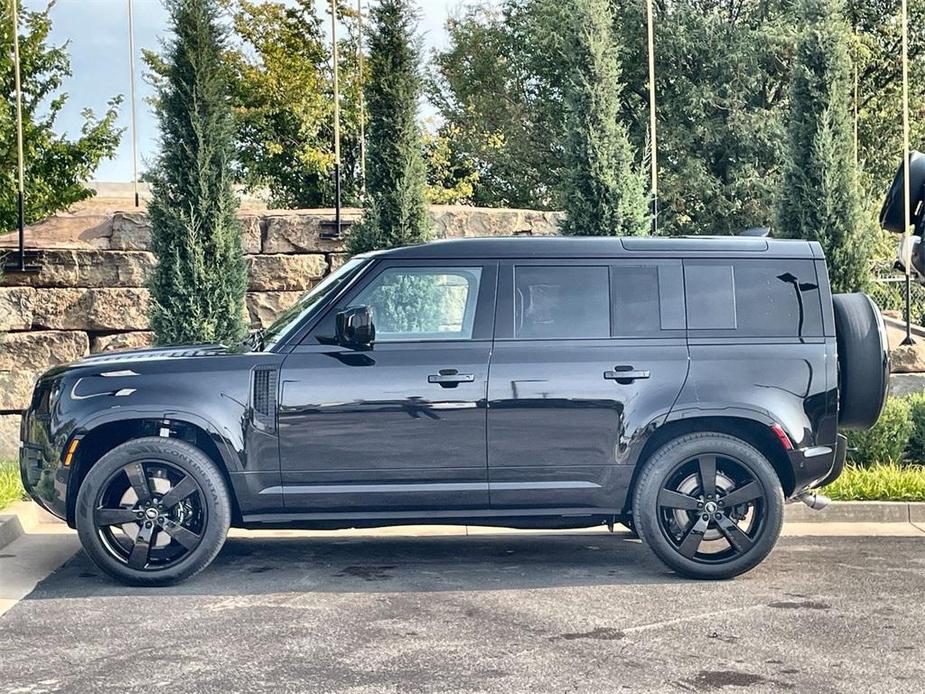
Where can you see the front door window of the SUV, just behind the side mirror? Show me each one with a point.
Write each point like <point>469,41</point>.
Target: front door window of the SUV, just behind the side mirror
<point>422,303</point>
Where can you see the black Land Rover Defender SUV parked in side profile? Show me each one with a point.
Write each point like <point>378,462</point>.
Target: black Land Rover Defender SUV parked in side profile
<point>686,387</point>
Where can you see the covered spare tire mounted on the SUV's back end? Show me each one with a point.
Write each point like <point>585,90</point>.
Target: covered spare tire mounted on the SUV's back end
<point>863,360</point>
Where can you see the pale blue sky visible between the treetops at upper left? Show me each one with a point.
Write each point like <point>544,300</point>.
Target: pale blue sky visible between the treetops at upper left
<point>97,33</point>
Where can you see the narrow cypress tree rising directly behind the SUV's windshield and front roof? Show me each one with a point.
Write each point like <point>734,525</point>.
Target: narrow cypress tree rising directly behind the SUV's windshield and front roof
<point>396,210</point>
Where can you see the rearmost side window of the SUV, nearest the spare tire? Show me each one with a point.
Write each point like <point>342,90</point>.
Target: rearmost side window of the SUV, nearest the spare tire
<point>754,298</point>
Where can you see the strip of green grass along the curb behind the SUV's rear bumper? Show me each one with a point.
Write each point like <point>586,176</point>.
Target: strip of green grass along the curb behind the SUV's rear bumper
<point>884,482</point>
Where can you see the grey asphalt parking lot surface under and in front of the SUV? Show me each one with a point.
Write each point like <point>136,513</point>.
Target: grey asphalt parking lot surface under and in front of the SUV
<point>589,612</point>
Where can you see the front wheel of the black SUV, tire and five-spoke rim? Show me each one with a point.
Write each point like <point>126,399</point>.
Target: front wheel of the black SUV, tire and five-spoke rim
<point>193,521</point>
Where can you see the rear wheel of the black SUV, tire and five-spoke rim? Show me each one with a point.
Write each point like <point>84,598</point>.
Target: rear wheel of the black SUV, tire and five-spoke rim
<point>671,531</point>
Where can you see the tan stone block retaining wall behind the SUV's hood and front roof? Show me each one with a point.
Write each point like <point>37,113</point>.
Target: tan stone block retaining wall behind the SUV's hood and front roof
<point>90,294</point>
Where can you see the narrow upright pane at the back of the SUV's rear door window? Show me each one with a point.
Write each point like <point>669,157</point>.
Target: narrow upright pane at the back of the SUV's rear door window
<point>636,300</point>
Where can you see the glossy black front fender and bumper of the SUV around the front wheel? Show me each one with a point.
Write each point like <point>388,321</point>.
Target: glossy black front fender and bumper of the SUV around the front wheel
<point>211,395</point>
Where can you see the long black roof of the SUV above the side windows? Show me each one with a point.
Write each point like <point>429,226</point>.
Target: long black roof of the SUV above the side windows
<point>608,247</point>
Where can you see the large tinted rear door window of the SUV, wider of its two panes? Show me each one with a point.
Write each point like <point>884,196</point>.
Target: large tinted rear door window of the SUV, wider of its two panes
<point>561,301</point>
